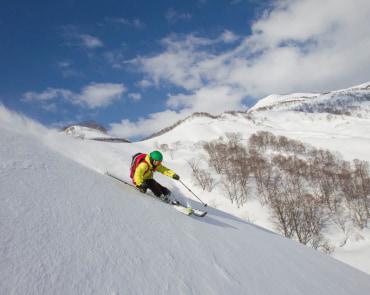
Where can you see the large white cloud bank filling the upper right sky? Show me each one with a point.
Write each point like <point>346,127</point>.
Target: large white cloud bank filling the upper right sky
<point>295,46</point>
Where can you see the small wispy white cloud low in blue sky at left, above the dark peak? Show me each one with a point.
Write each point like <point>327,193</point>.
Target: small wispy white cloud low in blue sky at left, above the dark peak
<point>94,95</point>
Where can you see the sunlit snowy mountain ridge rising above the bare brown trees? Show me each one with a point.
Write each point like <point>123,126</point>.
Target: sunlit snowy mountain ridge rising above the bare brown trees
<point>336,120</point>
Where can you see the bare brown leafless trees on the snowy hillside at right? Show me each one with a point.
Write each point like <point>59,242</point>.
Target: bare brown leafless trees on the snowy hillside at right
<point>305,188</point>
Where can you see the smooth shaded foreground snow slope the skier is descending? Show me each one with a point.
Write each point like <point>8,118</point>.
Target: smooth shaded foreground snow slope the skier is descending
<point>66,229</point>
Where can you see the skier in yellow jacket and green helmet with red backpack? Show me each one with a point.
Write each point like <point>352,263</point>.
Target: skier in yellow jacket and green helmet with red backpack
<point>142,170</point>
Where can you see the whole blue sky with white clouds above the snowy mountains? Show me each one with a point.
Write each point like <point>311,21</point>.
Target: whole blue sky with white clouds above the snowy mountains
<point>139,66</point>
